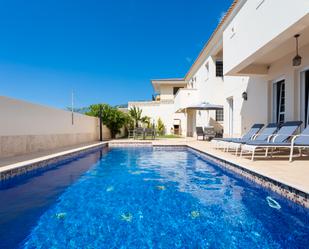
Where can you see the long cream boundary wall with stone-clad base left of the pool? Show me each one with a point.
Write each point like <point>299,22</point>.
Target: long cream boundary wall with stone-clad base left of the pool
<point>27,128</point>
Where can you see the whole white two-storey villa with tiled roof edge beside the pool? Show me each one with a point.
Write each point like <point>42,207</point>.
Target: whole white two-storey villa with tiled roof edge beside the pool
<point>253,69</point>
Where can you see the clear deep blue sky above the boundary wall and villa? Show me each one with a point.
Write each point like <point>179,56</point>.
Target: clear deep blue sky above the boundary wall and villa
<point>105,50</point>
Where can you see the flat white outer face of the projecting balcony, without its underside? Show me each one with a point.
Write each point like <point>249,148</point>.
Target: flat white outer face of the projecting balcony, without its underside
<point>256,24</point>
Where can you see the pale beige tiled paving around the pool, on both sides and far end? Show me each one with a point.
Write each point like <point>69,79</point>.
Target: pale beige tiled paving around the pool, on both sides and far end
<point>295,174</point>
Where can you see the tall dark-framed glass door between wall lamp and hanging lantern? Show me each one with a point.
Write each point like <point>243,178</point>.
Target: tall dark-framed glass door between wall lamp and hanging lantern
<point>279,102</point>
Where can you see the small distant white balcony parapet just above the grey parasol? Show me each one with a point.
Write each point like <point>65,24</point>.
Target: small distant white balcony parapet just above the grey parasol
<point>185,97</point>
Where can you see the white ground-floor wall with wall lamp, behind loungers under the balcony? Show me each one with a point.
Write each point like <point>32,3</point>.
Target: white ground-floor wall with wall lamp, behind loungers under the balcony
<point>259,107</point>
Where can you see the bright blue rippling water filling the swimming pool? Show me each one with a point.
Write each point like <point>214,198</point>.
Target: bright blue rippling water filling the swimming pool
<point>145,198</point>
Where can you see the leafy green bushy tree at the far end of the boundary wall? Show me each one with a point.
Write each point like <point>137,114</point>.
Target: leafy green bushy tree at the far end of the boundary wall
<point>111,117</point>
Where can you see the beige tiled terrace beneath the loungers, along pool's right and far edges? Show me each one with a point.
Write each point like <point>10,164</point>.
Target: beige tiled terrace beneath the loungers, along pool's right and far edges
<point>294,174</point>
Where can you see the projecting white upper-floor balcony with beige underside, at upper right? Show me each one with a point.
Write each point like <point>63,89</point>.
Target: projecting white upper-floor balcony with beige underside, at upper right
<point>261,33</point>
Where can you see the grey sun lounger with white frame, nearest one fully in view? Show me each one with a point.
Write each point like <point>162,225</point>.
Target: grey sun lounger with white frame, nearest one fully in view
<point>278,140</point>
